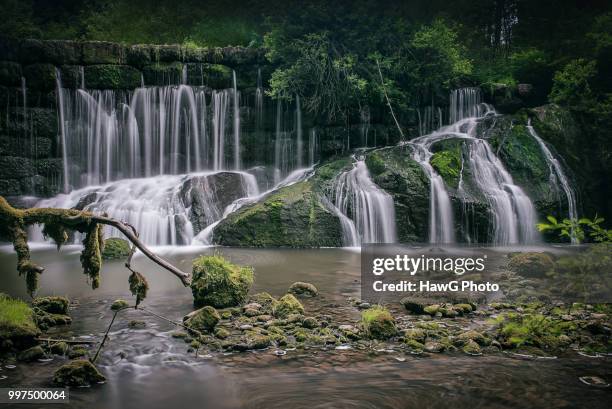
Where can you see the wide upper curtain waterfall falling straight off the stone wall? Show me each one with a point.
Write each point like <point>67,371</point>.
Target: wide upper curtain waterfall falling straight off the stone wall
<point>108,135</point>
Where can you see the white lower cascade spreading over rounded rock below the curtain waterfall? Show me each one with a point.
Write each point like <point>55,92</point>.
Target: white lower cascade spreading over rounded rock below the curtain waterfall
<point>161,208</point>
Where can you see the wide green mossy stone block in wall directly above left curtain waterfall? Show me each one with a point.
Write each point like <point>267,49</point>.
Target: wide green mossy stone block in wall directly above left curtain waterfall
<point>112,77</point>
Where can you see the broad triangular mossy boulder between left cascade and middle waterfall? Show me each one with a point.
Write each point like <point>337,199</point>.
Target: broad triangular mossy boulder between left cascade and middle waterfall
<point>293,216</point>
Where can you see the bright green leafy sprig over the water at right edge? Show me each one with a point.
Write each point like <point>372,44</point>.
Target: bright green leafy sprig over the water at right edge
<point>582,229</point>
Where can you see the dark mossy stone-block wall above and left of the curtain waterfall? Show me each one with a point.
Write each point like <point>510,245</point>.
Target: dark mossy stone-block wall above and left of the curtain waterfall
<point>30,156</point>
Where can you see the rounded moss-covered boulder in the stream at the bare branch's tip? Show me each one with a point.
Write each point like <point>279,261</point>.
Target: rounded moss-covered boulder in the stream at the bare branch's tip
<point>219,283</point>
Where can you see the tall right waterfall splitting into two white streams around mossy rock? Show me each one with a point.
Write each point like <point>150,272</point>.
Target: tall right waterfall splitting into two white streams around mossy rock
<point>513,214</point>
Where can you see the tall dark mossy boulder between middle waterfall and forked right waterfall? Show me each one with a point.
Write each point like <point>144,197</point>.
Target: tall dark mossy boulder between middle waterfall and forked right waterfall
<point>394,170</point>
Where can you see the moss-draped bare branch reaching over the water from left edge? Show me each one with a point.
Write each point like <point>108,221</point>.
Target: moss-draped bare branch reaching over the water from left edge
<point>56,225</point>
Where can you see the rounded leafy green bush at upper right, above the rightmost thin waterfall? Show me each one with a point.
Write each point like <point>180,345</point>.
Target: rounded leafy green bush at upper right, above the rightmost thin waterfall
<point>571,85</point>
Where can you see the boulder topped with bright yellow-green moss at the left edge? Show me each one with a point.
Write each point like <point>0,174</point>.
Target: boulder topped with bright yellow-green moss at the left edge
<point>18,328</point>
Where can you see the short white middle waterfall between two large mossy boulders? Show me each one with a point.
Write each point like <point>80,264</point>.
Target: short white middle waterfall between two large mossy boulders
<point>371,209</point>
